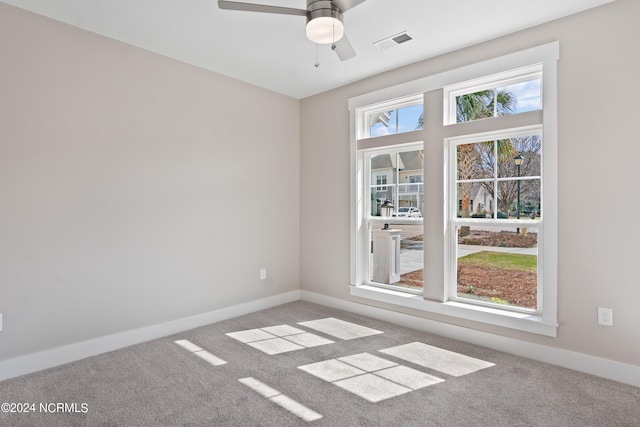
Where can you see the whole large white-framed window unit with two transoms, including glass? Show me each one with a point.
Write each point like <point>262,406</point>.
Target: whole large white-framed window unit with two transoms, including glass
<point>492,254</point>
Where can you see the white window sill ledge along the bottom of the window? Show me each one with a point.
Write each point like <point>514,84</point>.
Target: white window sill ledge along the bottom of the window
<point>486,315</point>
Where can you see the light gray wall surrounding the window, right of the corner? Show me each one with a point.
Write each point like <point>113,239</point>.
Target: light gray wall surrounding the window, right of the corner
<point>598,177</point>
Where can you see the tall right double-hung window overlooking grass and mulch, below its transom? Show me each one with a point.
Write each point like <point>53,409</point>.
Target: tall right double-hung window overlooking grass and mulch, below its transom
<point>496,263</point>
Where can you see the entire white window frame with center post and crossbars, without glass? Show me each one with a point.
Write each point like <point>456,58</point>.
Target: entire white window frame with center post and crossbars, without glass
<point>435,297</point>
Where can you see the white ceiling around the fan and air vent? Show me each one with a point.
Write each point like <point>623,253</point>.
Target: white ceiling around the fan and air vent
<point>273,52</point>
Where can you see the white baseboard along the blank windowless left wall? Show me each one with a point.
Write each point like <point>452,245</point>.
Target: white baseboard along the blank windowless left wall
<point>60,355</point>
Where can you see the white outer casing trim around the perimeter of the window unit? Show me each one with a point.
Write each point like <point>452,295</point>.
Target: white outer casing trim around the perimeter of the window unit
<point>545,324</point>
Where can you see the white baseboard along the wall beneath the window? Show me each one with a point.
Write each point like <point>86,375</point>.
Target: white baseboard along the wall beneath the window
<point>616,371</point>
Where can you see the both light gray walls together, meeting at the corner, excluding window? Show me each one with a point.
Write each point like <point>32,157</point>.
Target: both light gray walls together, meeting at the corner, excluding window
<point>135,189</point>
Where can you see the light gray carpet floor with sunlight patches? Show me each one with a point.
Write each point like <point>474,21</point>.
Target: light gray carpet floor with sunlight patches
<point>437,381</point>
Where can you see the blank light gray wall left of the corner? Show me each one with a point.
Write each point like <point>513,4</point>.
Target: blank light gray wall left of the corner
<point>134,189</point>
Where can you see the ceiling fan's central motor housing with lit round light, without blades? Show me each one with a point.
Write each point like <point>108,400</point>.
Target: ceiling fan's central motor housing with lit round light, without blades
<point>324,21</point>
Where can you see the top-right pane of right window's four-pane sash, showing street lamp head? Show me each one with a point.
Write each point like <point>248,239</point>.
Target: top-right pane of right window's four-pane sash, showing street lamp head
<point>529,150</point>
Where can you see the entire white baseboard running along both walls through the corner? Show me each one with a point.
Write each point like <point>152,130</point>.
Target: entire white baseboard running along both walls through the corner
<point>616,371</point>
